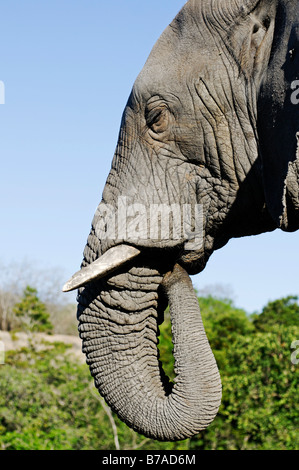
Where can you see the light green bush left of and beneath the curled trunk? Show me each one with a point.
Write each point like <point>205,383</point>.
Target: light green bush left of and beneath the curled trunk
<point>48,402</point>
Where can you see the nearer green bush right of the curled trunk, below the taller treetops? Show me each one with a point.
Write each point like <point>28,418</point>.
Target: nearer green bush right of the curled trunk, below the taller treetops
<point>259,409</point>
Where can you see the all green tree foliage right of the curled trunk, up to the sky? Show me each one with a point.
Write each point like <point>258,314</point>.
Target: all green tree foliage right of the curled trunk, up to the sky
<point>260,383</point>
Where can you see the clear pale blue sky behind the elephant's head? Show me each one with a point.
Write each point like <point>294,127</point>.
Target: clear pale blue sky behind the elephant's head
<point>68,67</point>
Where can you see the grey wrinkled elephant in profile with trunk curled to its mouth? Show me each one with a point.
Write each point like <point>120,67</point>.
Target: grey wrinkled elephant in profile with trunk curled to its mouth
<point>210,132</point>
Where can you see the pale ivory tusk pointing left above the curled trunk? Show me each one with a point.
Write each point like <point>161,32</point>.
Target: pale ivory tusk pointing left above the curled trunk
<point>108,262</point>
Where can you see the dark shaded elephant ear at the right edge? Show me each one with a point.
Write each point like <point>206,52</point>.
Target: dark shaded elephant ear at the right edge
<point>278,122</point>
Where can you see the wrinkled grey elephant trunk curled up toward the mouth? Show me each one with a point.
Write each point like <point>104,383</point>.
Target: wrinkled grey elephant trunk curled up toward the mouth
<point>118,323</point>
